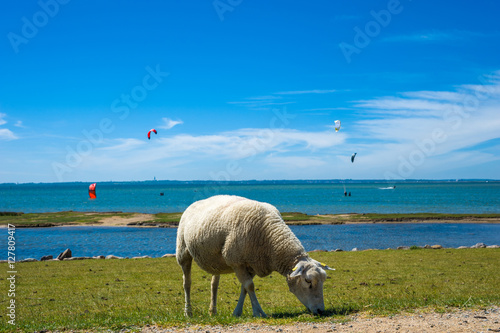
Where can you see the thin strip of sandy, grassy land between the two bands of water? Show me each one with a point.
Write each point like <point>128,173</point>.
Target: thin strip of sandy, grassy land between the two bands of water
<point>171,220</point>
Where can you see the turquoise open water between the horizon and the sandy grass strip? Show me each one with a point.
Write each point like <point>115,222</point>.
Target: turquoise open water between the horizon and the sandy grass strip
<point>321,198</point>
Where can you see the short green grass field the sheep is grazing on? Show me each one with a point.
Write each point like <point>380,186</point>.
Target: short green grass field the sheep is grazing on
<point>128,293</point>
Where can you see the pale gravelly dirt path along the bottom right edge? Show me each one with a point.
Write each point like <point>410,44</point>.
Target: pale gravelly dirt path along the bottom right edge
<point>455,321</point>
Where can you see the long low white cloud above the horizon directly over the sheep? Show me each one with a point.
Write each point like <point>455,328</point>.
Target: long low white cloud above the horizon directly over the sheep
<point>267,147</point>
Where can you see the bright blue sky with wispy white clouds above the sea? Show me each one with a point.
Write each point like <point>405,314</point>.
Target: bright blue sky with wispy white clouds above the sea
<point>243,89</point>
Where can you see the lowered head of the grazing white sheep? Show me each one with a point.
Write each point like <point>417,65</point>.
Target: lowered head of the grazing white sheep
<point>306,282</point>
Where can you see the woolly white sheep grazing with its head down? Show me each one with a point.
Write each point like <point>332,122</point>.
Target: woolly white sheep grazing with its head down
<point>226,234</point>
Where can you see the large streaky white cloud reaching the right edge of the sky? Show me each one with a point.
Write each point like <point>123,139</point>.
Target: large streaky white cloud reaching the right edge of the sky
<point>426,132</point>
